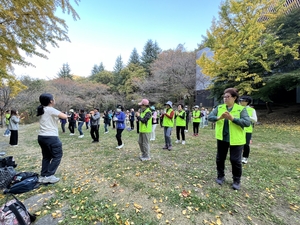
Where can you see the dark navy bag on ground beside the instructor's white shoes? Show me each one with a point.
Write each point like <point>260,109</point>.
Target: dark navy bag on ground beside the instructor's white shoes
<point>24,185</point>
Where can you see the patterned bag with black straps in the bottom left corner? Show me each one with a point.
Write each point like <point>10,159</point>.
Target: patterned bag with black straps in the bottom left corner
<point>15,212</point>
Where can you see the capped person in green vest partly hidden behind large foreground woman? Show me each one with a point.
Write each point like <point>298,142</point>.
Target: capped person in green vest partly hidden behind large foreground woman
<point>246,101</point>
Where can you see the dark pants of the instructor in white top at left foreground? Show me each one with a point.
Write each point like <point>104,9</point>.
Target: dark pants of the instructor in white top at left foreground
<point>52,154</point>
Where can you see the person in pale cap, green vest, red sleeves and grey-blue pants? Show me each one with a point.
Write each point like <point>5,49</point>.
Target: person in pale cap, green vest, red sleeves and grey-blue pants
<point>168,124</point>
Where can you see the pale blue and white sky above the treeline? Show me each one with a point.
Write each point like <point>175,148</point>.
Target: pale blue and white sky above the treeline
<point>110,28</point>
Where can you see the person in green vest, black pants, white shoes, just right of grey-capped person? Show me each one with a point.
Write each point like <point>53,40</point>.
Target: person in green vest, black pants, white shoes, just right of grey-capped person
<point>180,118</point>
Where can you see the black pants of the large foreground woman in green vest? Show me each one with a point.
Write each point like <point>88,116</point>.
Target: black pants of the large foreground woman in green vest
<point>235,159</point>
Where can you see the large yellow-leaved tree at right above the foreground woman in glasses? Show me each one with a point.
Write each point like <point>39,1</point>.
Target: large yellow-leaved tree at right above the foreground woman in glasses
<point>244,52</point>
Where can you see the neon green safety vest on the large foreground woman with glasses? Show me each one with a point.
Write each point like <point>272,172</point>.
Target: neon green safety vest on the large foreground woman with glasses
<point>237,134</point>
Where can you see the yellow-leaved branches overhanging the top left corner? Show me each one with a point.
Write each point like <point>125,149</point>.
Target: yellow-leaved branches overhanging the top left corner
<point>18,33</point>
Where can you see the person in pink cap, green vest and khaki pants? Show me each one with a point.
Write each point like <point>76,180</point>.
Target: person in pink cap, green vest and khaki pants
<point>145,122</point>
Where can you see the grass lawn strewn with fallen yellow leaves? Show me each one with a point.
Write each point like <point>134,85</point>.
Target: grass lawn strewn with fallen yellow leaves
<point>100,183</point>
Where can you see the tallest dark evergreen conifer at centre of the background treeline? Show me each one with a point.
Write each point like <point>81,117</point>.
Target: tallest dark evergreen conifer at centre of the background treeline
<point>149,54</point>
